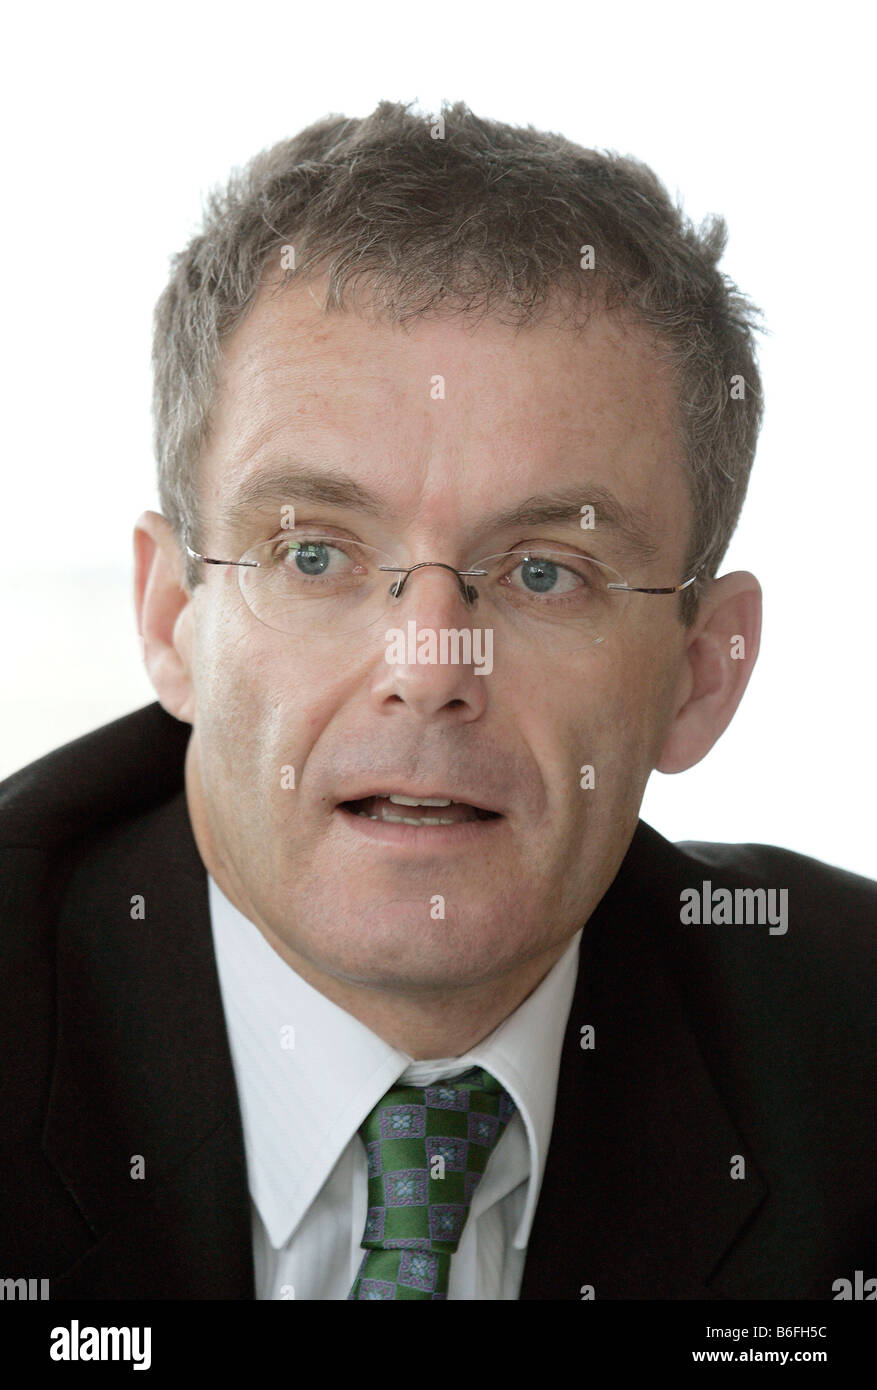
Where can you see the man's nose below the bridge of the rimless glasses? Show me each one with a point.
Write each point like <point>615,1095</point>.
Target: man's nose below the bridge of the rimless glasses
<point>430,635</point>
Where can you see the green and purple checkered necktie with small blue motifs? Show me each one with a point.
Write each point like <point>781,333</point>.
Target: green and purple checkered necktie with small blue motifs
<point>416,1216</point>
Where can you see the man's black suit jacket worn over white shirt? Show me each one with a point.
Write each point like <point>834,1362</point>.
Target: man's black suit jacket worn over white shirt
<point>712,1042</point>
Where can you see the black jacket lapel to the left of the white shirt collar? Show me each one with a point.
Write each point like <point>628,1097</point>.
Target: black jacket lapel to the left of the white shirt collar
<point>144,1124</point>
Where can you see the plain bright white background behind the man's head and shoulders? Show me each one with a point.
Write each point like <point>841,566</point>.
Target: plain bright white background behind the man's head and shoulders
<point>117,122</point>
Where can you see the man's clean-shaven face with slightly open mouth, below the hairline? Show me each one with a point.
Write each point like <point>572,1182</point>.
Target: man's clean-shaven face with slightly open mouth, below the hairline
<point>522,416</point>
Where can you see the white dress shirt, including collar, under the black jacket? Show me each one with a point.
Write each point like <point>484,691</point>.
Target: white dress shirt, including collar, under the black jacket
<point>309,1074</point>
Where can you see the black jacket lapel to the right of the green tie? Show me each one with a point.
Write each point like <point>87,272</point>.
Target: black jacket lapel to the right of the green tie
<point>637,1197</point>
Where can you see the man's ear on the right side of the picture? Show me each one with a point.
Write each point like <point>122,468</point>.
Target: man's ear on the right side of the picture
<point>721,653</point>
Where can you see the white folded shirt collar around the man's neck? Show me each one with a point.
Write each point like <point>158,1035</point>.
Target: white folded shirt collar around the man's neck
<point>309,1072</point>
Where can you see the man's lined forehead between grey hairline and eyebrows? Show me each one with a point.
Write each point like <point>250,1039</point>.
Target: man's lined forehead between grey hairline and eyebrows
<point>447,416</point>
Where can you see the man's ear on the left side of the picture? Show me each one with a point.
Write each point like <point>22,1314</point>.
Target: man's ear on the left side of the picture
<point>163,608</point>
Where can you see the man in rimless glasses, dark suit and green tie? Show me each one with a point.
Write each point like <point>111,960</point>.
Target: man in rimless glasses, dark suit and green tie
<point>348,970</point>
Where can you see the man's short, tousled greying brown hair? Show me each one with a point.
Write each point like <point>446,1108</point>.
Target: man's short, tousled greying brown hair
<point>461,215</point>
